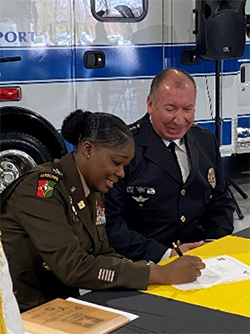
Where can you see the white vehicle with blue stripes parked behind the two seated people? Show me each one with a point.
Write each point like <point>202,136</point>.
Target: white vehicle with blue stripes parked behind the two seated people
<point>48,48</point>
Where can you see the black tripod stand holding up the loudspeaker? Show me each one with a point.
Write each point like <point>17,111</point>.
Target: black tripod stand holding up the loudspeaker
<point>218,122</point>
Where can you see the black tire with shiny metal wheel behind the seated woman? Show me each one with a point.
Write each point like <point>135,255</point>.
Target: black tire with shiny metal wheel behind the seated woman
<point>19,153</point>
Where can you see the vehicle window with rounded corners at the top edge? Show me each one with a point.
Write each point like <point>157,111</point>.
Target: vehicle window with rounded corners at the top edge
<point>119,10</point>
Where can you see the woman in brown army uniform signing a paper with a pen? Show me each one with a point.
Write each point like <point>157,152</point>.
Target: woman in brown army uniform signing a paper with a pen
<point>53,220</point>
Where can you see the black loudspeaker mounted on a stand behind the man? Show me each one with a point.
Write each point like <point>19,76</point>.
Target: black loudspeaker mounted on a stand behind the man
<point>220,29</point>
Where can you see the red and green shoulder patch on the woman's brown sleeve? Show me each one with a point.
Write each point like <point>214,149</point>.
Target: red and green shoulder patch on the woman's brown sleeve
<point>46,184</point>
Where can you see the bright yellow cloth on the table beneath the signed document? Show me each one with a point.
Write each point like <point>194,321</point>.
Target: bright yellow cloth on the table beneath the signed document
<point>229,297</point>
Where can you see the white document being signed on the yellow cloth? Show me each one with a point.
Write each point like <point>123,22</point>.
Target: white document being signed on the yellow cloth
<point>219,269</point>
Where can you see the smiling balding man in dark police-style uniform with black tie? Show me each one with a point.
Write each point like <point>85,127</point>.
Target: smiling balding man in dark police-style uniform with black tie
<point>160,200</point>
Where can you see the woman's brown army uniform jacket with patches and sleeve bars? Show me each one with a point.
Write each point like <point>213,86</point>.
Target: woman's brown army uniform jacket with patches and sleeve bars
<point>53,245</point>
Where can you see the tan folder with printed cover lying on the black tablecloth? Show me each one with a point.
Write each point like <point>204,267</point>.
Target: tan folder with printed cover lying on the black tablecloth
<point>61,316</point>
